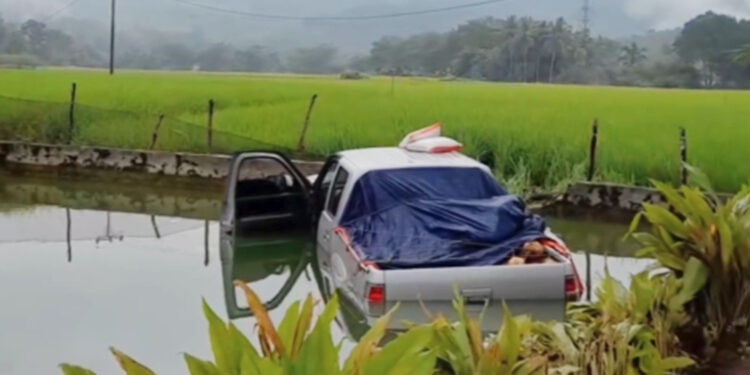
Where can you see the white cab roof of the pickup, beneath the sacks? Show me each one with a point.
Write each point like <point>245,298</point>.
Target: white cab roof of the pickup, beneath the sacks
<point>370,159</point>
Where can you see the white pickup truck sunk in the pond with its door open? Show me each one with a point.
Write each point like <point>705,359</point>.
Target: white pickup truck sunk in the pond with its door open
<point>415,228</point>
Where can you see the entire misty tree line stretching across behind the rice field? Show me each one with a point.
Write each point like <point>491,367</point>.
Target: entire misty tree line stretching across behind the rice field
<point>711,50</point>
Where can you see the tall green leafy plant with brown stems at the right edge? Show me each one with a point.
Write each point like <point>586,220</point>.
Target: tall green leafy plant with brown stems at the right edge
<point>700,234</point>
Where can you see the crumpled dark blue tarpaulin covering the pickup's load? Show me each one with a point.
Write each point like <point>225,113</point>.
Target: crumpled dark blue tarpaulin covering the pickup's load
<point>436,217</point>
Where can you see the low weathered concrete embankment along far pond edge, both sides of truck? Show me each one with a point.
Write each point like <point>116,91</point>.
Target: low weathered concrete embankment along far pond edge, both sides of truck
<point>193,170</point>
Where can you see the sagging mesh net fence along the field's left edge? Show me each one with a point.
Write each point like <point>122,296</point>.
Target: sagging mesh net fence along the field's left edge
<point>84,125</point>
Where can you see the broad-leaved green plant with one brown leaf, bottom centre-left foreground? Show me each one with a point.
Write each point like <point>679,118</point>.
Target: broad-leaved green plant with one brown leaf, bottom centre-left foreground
<point>297,346</point>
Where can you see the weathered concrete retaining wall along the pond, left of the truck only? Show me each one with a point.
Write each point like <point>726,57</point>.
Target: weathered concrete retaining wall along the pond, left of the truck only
<point>55,158</point>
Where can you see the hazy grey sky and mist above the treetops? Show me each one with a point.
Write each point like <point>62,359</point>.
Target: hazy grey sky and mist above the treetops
<point>615,18</point>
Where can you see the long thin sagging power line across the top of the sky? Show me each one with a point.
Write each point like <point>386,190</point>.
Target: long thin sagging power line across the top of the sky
<point>338,18</point>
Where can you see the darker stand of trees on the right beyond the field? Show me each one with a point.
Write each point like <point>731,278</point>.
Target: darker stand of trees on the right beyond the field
<point>712,50</point>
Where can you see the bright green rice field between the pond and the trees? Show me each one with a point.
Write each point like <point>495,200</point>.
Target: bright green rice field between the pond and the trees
<point>533,135</point>
